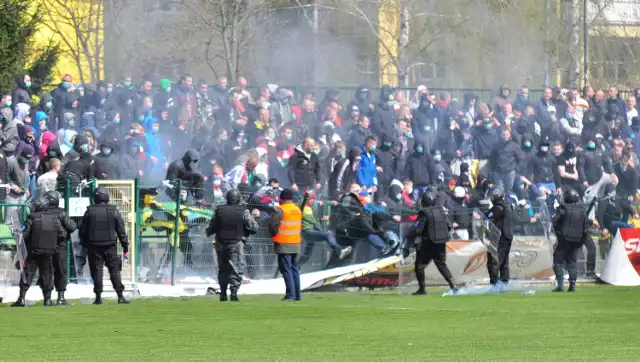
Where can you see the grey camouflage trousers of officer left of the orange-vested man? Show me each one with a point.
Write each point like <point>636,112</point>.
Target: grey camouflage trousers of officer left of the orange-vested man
<point>230,265</point>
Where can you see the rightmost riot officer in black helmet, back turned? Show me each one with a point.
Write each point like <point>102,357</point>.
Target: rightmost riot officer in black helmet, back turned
<point>571,226</point>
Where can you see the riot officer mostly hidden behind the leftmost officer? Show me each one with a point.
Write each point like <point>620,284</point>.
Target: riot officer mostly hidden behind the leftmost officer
<point>52,199</point>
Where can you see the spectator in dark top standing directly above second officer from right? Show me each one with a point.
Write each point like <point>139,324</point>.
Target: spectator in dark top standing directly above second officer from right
<point>505,159</point>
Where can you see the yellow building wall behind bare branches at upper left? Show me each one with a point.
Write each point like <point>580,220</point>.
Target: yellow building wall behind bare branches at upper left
<point>79,26</point>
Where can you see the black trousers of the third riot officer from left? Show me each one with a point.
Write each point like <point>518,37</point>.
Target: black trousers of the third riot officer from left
<point>99,256</point>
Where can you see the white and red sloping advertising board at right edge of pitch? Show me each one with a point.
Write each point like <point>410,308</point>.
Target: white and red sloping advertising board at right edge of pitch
<point>622,266</point>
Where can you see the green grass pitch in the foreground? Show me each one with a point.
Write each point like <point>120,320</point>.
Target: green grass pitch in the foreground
<point>596,323</point>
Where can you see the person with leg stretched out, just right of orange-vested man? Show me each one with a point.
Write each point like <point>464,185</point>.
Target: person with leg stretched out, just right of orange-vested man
<point>312,232</point>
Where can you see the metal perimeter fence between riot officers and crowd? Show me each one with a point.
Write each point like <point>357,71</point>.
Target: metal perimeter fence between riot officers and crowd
<point>169,245</point>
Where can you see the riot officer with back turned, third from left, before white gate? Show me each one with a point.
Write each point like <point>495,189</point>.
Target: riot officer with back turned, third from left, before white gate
<point>102,226</point>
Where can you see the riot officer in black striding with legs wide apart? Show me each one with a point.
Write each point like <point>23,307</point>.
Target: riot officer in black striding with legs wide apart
<point>433,228</point>
